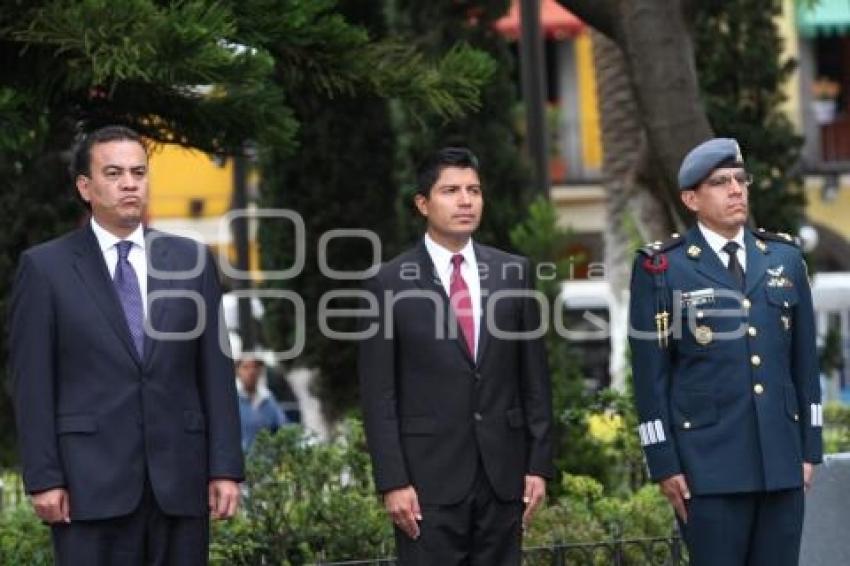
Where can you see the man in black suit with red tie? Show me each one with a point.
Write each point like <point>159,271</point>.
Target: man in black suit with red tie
<point>454,383</point>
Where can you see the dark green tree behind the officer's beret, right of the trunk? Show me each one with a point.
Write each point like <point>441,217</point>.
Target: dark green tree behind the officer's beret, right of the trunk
<point>742,77</point>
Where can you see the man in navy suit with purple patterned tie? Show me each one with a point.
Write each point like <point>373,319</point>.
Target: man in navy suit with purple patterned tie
<point>125,402</point>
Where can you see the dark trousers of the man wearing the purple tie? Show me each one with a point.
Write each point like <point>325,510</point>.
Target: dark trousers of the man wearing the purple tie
<point>145,537</point>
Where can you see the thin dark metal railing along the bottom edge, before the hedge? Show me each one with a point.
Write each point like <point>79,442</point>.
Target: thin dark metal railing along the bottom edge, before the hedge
<point>660,551</point>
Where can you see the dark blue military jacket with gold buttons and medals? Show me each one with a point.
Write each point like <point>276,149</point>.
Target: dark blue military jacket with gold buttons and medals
<point>730,395</point>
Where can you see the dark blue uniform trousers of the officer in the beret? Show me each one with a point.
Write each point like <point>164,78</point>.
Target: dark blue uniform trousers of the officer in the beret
<point>745,529</point>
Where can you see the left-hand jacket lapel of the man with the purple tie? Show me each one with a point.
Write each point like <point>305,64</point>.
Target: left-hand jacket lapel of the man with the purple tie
<point>91,267</point>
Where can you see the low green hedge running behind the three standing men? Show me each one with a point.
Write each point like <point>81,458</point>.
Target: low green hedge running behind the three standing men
<point>310,501</point>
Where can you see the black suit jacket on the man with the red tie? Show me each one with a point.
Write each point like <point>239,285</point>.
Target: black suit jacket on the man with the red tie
<point>431,411</point>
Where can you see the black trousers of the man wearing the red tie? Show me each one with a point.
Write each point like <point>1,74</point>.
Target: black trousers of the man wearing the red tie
<point>480,530</point>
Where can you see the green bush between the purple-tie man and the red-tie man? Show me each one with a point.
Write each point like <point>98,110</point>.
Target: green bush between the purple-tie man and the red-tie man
<point>307,501</point>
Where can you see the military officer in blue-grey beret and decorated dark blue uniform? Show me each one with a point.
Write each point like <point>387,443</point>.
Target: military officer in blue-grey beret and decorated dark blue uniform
<point>725,371</point>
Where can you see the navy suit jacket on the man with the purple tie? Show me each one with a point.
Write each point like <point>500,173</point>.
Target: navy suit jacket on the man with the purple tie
<point>95,418</point>
